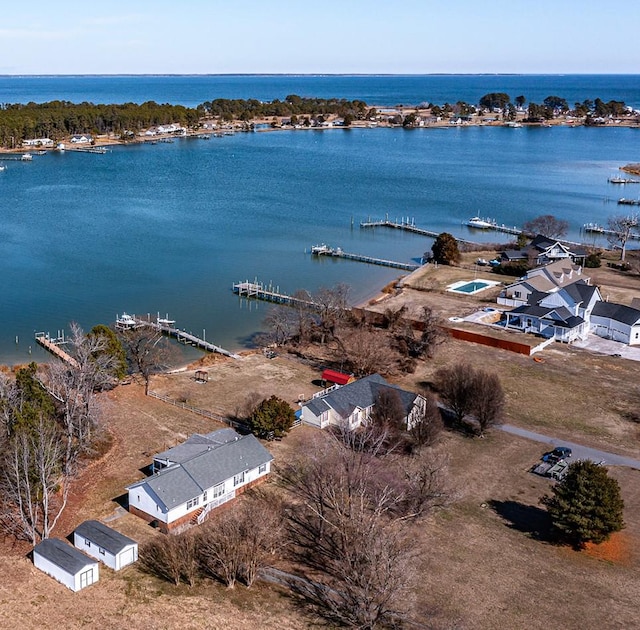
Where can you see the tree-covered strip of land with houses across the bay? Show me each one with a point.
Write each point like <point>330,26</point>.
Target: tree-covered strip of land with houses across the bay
<point>58,120</point>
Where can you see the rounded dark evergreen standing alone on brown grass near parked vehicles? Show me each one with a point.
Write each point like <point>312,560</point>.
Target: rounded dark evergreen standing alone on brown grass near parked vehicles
<point>586,505</point>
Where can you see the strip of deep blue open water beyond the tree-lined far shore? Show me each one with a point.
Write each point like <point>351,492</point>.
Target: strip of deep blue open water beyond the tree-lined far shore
<point>375,90</point>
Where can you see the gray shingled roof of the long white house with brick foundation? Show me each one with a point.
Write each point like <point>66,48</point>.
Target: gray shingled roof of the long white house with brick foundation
<point>177,484</point>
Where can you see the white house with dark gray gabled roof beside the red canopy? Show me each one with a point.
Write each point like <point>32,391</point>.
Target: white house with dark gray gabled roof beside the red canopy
<point>351,405</point>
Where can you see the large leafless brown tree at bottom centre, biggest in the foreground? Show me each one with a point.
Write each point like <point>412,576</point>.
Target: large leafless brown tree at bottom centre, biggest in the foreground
<point>347,534</point>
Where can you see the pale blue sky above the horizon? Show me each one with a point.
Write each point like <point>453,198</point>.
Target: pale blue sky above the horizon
<point>332,37</point>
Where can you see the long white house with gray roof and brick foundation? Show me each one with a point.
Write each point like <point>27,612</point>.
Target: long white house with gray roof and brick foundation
<point>197,476</point>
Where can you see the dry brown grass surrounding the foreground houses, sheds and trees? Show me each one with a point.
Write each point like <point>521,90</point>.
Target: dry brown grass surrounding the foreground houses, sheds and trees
<point>484,562</point>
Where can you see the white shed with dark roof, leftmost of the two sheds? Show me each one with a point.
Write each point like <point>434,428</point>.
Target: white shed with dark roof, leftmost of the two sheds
<point>65,564</point>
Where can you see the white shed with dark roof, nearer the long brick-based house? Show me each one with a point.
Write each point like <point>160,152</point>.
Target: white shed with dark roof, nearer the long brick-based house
<point>105,544</point>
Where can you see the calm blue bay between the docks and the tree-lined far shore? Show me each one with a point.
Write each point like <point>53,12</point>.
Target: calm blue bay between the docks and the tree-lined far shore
<point>170,227</point>
